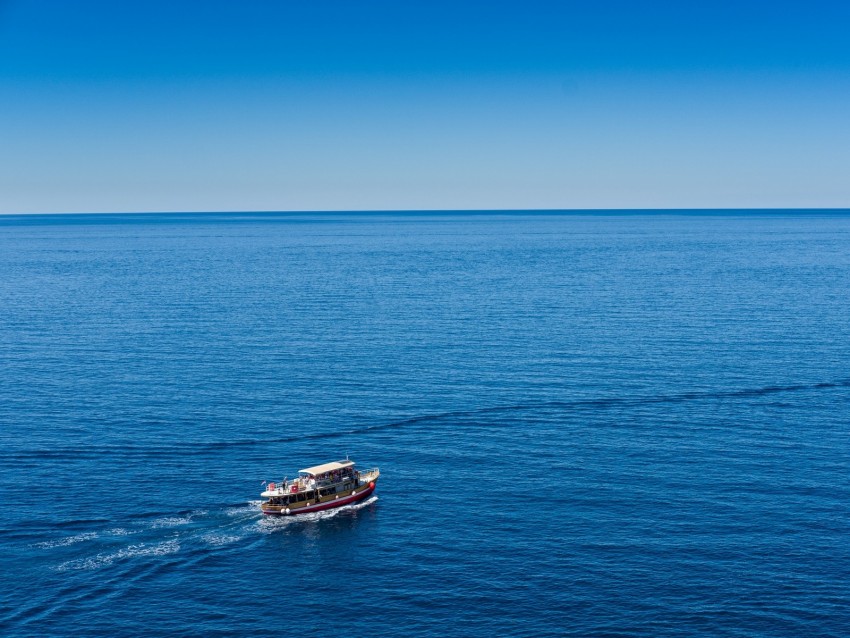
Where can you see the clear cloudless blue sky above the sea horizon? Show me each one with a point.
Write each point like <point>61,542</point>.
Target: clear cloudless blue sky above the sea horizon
<point>363,105</point>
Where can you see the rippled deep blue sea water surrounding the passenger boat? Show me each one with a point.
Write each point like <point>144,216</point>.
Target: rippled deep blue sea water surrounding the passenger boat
<point>625,424</point>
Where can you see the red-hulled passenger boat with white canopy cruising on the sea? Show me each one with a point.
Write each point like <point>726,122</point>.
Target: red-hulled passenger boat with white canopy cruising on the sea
<point>319,488</point>
